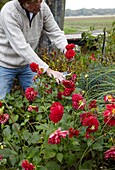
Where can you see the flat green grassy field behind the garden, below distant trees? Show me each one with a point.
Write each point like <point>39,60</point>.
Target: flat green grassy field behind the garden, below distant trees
<point>79,24</point>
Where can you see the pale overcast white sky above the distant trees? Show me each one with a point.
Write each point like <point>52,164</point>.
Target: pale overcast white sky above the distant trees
<point>78,4</point>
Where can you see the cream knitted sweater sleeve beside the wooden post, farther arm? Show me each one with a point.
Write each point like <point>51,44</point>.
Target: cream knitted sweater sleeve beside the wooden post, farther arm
<point>55,34</point>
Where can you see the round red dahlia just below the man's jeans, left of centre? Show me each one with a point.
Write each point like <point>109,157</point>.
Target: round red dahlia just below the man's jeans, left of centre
<point>31,94</point>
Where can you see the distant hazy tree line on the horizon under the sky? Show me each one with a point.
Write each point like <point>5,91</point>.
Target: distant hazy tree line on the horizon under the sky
<point>89,12</point>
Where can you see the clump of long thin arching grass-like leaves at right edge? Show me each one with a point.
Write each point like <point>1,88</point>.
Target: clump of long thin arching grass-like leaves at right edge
<point>98,82</point>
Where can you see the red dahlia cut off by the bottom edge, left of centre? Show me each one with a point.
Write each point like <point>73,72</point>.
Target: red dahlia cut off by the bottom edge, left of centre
<point>27,166</point>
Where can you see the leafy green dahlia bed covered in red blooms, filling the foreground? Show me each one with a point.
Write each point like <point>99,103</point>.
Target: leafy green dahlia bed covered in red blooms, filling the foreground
<point>58,126</point>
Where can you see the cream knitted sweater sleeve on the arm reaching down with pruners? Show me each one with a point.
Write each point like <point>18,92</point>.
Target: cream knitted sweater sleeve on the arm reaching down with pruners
<point>17,40</point>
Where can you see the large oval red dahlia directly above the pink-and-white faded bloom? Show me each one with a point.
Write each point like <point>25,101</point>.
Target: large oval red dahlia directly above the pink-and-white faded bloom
<point>56,112</point>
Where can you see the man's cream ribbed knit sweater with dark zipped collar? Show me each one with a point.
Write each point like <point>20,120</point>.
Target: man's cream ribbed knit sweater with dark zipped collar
<point>18,39</point>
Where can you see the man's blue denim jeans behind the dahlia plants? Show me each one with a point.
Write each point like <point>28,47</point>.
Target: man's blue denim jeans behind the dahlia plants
<point>7,75</point>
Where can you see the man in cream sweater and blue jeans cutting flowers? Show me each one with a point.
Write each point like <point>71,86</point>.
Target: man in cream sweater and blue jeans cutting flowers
<point>21,24</point>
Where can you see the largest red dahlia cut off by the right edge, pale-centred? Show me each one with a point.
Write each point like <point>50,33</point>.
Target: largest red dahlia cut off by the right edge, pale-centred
<point>109,115</point>
